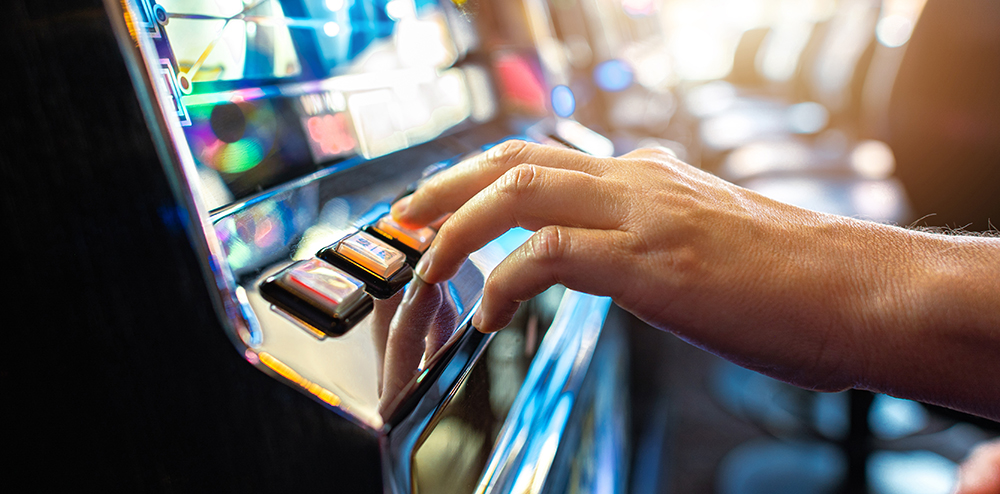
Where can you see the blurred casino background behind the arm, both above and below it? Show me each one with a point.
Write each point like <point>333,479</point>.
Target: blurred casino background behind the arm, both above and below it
<point>884,110</point>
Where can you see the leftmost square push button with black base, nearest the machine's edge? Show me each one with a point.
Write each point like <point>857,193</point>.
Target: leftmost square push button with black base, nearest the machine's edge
<point>319,295</point>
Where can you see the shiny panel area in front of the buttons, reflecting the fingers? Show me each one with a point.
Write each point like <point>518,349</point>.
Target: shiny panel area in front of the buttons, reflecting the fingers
<point>371,366</point>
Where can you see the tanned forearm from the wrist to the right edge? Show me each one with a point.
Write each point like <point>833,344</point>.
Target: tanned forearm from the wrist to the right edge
<point>930,324</point>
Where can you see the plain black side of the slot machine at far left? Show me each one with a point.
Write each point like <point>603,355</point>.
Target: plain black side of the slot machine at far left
<point>116,374</point>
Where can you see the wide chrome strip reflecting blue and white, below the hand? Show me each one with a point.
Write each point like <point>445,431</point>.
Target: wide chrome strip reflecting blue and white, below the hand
<point>528,441</point>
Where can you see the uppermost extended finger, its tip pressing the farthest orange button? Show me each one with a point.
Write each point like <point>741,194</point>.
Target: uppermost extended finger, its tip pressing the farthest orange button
<point>447,191</point>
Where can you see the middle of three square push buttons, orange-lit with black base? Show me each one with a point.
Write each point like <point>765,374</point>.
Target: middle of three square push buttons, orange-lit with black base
<point>382,267</point>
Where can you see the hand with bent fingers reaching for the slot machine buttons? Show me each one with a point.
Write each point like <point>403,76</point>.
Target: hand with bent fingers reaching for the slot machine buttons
<point>759,282</point>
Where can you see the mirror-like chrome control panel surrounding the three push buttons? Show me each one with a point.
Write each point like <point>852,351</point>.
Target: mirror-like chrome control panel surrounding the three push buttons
<point>373,368</point>
